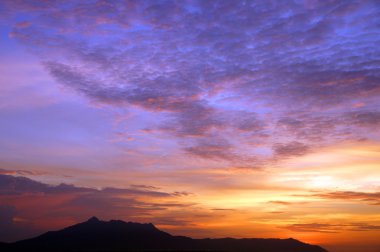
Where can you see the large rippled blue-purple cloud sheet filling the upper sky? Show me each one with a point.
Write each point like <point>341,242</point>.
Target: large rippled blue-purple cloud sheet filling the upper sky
<point>290,67</point>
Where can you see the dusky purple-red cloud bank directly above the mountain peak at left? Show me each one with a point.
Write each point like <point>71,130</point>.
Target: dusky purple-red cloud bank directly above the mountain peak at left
<point>66,204</point>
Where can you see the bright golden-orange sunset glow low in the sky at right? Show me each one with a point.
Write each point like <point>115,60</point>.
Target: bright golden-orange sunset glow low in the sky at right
<point>270,202</point>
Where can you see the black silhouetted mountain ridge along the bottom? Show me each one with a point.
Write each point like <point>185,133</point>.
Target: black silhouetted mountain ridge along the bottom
<point>116,235</point>
